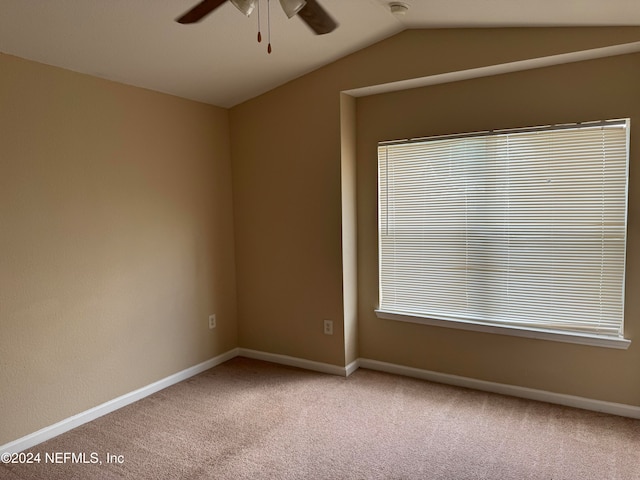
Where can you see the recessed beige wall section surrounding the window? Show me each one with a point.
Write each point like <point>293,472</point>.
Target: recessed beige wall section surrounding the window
<point>593,90</point>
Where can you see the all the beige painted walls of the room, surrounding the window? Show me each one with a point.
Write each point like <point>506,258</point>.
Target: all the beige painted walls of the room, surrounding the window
<point>117,234</point>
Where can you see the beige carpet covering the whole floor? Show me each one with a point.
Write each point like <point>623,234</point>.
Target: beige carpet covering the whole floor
<point>248,419</point>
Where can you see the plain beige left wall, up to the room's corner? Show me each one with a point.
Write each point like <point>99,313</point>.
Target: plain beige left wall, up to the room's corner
<point>115,241</point>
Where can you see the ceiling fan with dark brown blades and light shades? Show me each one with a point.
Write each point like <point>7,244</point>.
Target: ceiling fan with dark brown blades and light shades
<point>309,11</point>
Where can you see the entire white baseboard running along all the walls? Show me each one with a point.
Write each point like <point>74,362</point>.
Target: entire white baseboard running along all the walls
<point>67,424</point>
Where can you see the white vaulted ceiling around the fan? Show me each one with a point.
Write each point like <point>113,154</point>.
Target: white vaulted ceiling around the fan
<point>219,61</point>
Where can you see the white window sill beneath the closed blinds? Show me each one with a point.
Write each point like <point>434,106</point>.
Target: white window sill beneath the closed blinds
<point>567,337</point>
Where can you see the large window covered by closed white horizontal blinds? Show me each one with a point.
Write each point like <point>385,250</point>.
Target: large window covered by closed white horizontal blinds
<point>516,231</point>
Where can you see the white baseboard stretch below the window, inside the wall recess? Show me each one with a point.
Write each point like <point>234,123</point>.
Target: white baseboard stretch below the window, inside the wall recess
<point>501,388</point>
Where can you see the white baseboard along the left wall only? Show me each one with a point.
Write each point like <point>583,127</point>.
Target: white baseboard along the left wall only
<point>70,423</point>
